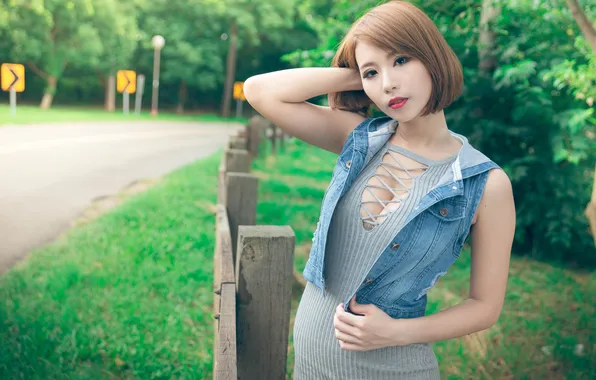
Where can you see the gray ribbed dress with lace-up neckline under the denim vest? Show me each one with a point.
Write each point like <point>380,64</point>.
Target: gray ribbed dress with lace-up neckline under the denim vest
<point>351,251</point>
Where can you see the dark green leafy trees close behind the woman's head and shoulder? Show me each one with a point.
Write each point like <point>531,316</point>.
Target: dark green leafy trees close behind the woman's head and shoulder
<point>534,116</point>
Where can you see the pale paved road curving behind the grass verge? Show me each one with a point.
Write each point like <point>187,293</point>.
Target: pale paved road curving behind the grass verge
<point>50,173</point>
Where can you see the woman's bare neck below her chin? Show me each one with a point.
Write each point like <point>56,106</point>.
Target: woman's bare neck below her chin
<point>424,131</point>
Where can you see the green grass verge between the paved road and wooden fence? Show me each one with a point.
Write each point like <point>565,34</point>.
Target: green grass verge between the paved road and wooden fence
<point>126,296</point>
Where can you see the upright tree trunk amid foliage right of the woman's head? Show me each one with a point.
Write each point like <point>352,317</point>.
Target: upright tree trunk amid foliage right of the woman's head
<point>487,38</point>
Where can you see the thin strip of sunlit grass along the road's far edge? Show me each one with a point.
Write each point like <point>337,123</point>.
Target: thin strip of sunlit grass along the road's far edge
<point>35,115</point>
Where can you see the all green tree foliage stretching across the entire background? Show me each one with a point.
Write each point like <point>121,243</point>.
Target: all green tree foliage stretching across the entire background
<point>533,114</point>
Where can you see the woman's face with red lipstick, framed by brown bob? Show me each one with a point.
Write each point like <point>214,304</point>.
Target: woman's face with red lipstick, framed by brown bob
<point>398,85</point>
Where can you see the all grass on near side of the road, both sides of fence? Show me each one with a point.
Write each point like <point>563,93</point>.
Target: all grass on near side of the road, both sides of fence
<point>129,294</point>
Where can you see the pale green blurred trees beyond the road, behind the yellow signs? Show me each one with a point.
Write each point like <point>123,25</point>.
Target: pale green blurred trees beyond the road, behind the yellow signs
<point>83,41</point>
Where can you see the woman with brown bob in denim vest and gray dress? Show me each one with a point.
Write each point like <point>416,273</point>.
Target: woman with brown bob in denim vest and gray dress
<point>405,194</point>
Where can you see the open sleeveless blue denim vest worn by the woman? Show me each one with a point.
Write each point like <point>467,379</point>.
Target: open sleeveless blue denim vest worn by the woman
<point>431,238</point>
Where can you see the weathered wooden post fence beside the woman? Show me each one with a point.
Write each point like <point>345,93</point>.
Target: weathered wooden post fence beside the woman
<point>253,269</point>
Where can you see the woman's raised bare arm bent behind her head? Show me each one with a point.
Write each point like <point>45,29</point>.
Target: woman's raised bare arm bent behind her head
<point>281,96</point>
